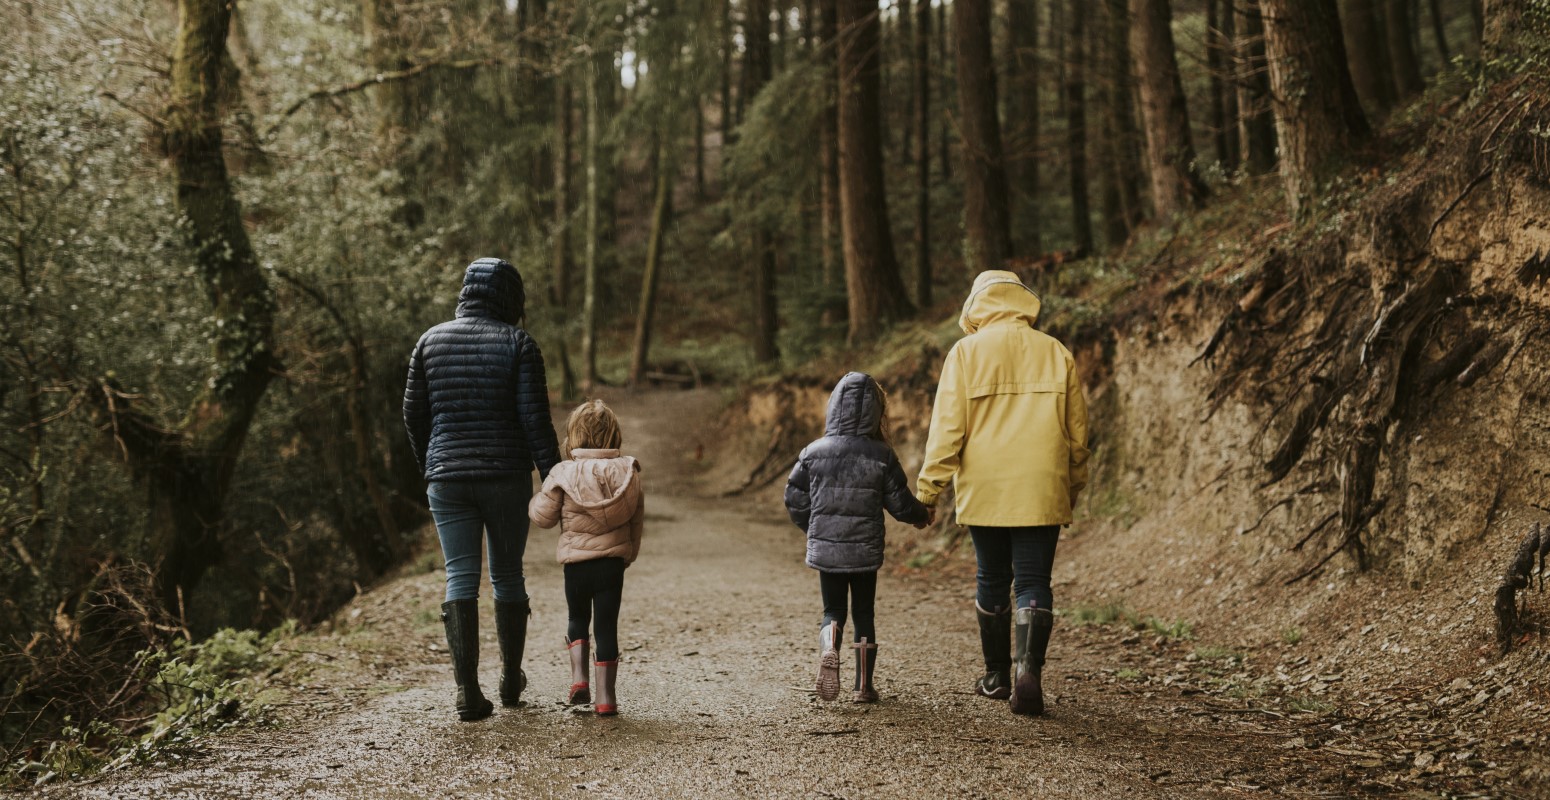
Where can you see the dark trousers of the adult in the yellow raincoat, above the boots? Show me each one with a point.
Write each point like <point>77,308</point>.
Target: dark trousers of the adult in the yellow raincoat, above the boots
<point>1018,559</point>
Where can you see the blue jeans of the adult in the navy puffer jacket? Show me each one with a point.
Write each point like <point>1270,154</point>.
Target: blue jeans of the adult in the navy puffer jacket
<point>467,516</point>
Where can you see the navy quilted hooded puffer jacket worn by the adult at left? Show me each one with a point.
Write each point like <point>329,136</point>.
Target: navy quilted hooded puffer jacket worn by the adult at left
<point>477,404</point>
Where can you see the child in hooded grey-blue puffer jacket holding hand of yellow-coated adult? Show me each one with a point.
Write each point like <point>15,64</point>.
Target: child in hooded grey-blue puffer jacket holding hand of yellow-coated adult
<point>838,494</point>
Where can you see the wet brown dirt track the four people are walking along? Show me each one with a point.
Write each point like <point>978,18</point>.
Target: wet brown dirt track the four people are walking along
<point>718,630</point>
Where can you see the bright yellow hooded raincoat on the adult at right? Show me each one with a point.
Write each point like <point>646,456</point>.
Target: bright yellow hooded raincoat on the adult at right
<point>1010,422</point>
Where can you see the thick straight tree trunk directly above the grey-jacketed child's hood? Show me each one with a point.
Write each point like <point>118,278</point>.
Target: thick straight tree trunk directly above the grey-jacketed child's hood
<point>872,269</point>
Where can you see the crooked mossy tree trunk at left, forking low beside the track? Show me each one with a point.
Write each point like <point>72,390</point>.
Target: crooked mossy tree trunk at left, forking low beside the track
<point>188,471</point>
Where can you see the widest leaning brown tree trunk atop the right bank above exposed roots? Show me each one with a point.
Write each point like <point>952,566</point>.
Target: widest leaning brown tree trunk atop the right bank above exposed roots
<point>1318,116</point>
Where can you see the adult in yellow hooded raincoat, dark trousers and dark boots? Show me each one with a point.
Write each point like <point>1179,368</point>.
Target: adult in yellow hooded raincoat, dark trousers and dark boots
<point>1010,433</point>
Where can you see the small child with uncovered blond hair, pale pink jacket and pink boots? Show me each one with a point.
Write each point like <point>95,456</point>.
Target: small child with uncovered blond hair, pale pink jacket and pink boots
<point>596,500</point>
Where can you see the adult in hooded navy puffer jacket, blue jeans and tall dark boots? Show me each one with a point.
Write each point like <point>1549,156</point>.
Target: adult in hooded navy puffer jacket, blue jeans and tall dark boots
<point>477,407</point>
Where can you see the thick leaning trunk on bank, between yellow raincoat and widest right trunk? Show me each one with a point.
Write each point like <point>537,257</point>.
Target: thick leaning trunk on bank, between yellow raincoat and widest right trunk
<point>1165,114</point>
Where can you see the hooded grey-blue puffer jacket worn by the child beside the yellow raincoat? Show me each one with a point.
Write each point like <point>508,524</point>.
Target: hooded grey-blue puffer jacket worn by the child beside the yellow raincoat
<point>844,483</point>
